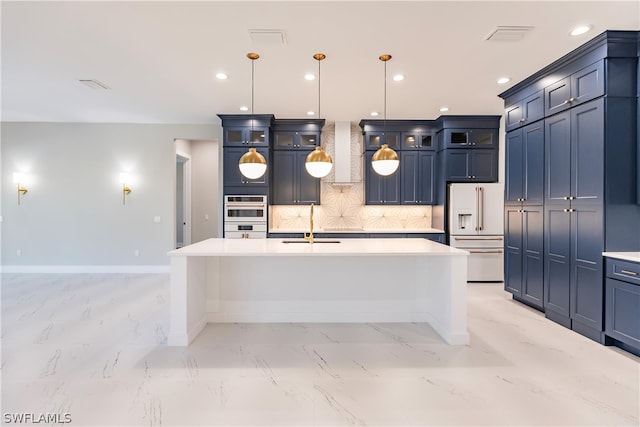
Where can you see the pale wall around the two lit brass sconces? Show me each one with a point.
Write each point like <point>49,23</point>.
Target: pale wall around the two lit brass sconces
<point>73,213</point>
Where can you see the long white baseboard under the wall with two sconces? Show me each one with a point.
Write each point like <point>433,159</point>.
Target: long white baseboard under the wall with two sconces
<point>79,269</point>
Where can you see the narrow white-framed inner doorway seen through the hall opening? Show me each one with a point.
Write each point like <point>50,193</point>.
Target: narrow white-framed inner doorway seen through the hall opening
<point>183,200</point>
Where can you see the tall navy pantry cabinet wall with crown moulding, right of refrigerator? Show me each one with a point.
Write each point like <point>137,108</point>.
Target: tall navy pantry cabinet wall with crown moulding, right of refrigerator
<point>570,192</point>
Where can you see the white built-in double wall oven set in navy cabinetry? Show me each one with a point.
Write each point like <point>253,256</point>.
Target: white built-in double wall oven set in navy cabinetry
<point>245,217</point>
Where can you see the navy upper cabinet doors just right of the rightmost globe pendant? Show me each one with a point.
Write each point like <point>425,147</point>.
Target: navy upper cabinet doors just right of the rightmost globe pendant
<point>417,172</point>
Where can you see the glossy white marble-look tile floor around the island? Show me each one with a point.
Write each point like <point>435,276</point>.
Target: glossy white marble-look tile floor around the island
<point>93,348</point>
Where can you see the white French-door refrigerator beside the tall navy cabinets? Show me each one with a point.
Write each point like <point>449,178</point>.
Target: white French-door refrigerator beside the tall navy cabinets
<point>476,225</point>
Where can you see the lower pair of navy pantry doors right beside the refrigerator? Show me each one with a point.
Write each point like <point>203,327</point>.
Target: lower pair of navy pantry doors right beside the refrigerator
<point>524,251</point>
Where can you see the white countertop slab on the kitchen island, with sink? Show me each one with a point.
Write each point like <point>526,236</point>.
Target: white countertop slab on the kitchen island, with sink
<point>346,247</point>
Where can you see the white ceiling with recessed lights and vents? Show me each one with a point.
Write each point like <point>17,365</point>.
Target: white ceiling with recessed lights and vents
<point>159,59</point>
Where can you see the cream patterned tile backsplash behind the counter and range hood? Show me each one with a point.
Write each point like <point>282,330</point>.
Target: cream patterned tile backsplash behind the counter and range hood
<point>342,207</point>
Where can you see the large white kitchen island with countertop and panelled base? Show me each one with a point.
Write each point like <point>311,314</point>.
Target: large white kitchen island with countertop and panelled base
<point>348,280</point>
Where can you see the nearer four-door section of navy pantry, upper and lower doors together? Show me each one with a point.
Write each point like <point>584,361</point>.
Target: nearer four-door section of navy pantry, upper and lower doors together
<point>574,148</point>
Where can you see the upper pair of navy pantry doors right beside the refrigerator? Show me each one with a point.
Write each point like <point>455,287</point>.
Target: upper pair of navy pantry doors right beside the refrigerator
<point>524,165</point>
